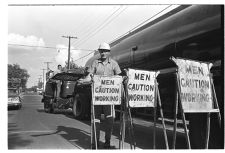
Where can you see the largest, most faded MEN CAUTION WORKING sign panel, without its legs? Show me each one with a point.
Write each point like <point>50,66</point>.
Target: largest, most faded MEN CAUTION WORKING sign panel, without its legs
<point>195,86</point>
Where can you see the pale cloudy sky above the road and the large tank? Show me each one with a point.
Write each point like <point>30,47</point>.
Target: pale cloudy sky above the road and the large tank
<point>35,32</point>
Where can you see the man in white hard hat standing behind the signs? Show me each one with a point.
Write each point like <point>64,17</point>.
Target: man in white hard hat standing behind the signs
<point>104,66</point>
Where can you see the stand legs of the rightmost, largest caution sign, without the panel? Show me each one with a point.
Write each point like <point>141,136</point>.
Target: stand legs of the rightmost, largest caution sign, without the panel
<point>178,103</point>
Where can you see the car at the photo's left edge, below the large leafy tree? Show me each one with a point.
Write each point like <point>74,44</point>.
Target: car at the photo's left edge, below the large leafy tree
<point>14,100</point>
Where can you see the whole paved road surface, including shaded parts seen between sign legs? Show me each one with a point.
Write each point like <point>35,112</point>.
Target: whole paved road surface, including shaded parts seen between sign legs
<point>32,128</point>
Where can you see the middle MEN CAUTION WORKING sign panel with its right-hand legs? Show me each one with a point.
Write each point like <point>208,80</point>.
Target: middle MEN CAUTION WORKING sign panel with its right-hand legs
<point>142,91</point>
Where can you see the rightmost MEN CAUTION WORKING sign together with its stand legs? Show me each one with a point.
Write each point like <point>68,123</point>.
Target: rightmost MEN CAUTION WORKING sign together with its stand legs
<point>195,93</point>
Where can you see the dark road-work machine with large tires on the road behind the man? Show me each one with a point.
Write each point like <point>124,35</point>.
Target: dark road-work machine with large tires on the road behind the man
<point>68,97</point>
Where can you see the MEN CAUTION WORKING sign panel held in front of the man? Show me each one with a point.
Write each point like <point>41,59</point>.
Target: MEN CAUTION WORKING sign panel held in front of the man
<point>106,90</point>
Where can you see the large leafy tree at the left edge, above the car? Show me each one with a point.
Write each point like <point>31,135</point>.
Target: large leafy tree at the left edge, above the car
<point>17,77</point>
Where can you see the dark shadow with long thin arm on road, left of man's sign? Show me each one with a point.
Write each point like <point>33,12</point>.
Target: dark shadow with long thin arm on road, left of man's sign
<point>77,137</point>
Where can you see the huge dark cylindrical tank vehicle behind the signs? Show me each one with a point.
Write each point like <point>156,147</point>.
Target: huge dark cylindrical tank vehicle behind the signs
<point>190,31</point>
